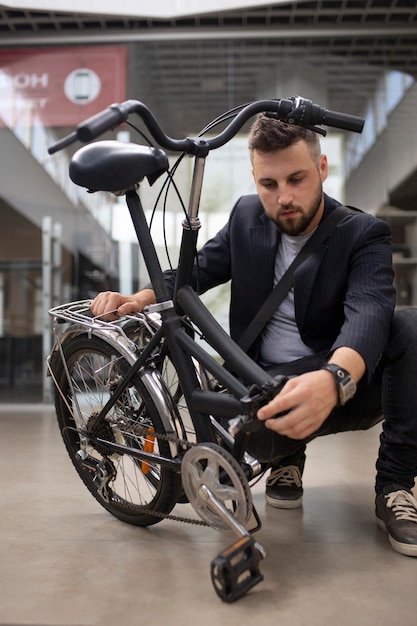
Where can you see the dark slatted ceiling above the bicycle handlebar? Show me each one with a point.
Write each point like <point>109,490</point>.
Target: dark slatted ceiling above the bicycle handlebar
<point>190,69</point>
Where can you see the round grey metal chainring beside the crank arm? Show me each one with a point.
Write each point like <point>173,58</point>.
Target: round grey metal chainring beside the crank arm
<point>210,465</point>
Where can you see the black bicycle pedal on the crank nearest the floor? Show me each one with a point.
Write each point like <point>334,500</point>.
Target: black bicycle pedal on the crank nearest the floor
<point>236,570</point>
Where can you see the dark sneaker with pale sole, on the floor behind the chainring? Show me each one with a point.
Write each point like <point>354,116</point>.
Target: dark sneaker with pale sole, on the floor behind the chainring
<point>284,487</point>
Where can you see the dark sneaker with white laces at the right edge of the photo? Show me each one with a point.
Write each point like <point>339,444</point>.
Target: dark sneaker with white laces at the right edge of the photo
<point>396,513</point>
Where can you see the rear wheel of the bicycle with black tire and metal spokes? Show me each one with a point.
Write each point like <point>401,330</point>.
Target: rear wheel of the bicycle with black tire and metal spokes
<point>135,492</point>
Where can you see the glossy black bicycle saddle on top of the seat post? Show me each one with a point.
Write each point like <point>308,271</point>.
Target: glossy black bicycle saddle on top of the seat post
<point>115,166</point>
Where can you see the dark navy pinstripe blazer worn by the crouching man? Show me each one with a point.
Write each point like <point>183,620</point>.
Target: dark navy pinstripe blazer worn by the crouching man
<point>343,293</point>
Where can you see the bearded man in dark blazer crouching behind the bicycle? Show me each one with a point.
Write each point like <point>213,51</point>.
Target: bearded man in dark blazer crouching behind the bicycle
<point>350,358</point>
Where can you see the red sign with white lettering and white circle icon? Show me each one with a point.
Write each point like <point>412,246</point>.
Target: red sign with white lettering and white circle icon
<point>59,86</point>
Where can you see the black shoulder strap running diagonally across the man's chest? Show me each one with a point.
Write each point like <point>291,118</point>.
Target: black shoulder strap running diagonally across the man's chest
<point>282,287</point>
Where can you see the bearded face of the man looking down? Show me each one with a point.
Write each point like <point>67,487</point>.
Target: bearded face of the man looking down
<point>290,185</point>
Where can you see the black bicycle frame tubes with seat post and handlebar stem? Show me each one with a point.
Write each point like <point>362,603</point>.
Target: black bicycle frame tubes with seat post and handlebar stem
<point>180,345</point>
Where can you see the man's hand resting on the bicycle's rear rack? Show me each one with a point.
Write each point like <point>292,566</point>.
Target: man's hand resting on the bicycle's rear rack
<point>112,304</point>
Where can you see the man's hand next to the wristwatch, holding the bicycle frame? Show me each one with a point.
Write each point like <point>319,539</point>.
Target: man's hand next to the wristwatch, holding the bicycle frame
<point>307,399</point>
